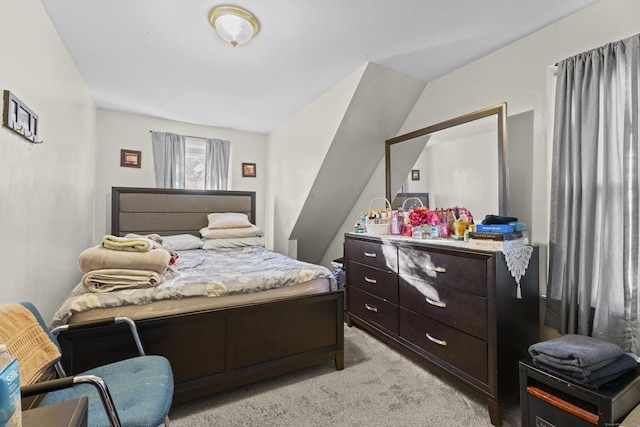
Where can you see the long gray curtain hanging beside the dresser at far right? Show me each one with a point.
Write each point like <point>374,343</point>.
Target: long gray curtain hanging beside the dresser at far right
<point>595,221</point>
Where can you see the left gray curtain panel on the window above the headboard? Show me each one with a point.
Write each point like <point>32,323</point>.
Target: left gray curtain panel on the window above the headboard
<point>168,159</point>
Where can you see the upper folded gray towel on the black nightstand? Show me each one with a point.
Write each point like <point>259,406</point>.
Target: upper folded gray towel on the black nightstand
<point>580,354</point>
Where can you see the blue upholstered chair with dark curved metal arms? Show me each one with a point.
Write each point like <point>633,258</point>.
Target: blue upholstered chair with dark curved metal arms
<point>135,392</point>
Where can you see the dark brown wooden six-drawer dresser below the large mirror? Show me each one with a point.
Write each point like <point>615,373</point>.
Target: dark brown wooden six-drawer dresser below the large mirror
<point>451,309</point>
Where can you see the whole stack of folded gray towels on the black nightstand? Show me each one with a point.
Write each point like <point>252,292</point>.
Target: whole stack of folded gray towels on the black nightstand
<point>582,359</point>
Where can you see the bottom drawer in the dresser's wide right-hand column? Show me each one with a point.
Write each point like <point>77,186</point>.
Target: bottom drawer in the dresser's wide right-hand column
<point>467,353</point>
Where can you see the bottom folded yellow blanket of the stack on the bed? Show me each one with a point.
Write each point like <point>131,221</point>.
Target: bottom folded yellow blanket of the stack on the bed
<point>107,280</point>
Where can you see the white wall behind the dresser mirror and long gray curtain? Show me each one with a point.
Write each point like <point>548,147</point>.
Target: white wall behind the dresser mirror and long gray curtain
<point>517,74</point>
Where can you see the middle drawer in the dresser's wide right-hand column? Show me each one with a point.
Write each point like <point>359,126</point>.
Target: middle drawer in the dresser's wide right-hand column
<point>461,310</point>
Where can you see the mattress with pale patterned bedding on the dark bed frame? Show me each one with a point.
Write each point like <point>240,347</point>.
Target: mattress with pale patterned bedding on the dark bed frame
<point>203,279</point>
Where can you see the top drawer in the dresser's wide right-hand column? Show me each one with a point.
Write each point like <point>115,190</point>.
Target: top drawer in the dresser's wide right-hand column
<point>461,272</point>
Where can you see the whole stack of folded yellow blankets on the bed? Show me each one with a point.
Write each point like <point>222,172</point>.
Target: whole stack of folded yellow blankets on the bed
<point>124,263</point>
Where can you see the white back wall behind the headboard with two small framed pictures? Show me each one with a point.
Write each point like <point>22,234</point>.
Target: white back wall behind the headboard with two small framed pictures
<point>116,131</point>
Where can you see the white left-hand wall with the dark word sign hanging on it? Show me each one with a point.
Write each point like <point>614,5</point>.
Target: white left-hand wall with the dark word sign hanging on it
<point>46,190</point>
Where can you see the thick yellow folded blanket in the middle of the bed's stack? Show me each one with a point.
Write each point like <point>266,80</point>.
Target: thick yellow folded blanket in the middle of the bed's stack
<point>98,257</point>
